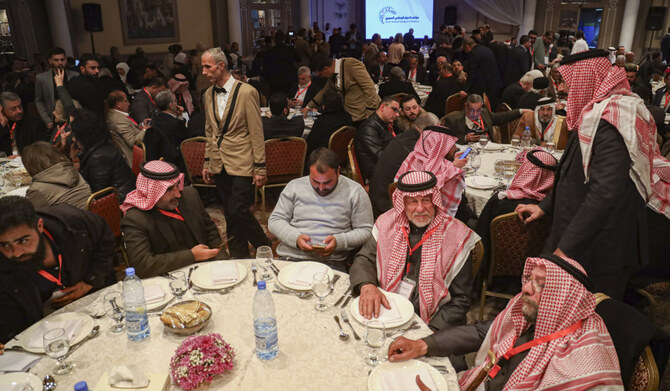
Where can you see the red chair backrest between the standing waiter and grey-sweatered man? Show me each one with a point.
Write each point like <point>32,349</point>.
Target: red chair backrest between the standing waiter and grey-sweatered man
<point>284,158</point>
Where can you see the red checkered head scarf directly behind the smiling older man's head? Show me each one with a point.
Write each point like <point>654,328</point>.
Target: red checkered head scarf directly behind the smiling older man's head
<point>430,154</point>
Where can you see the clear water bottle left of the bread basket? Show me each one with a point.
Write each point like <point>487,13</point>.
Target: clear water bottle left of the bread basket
<point>137,322</point>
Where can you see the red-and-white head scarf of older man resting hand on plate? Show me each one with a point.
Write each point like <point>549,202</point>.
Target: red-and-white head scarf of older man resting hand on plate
<point>442,254</point>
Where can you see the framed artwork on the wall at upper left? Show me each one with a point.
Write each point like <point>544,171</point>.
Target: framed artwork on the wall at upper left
<point>149,21</point>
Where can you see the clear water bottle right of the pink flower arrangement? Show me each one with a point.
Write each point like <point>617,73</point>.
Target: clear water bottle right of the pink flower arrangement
<point>265,324</point>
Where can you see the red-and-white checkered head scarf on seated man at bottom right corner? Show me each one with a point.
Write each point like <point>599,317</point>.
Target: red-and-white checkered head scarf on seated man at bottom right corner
<point>580,360</point>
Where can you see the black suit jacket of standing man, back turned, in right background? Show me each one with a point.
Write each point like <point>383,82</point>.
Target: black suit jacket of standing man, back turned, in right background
<point>483,73</point>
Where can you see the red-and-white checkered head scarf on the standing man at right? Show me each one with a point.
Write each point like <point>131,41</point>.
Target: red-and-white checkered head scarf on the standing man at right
<point>603,92</point>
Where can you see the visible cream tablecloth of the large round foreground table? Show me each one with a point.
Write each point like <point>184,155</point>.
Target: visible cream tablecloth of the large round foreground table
<point>311,356</point>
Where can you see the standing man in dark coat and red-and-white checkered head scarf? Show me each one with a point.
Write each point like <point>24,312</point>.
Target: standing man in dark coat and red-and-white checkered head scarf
<point>605,176</point>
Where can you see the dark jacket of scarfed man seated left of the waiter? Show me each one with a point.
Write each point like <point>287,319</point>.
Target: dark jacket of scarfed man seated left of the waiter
<point>154,249</point>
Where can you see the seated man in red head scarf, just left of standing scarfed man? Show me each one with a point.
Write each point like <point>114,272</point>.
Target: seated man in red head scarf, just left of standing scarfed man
<point>532,182</point>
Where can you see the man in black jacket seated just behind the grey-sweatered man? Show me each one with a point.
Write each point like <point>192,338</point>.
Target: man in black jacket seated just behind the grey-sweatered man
<point>374,134</point>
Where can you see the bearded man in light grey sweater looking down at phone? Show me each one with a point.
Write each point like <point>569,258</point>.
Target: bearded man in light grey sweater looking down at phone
<point>322,216</point>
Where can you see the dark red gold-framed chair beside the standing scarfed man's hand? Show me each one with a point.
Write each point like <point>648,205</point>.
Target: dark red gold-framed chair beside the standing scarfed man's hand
<point>512,241</point>
